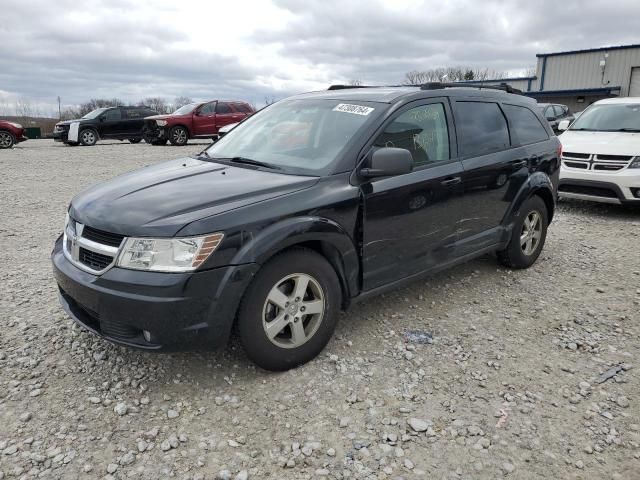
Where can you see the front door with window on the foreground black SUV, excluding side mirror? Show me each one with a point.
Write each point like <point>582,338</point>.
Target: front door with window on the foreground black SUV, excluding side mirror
<point>410,220</point>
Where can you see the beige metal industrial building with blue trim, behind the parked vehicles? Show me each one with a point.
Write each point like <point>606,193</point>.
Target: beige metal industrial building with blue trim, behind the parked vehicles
<point>578,78</point>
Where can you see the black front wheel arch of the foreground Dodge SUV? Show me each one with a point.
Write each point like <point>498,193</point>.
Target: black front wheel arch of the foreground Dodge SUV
<point>321,235</point>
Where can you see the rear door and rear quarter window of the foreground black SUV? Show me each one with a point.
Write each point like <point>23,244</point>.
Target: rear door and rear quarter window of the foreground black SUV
<point>496,164</point>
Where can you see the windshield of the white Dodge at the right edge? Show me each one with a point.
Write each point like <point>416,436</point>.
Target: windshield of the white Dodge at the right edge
<point>612,117</point>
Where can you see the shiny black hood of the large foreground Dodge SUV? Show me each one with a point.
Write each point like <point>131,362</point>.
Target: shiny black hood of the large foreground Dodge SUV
<point>161,199</point>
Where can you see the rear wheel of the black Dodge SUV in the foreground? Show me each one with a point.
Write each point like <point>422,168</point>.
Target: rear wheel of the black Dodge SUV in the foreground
<point>528,235</point>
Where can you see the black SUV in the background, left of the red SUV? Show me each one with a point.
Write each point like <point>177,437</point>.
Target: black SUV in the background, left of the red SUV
<point>118,123</point>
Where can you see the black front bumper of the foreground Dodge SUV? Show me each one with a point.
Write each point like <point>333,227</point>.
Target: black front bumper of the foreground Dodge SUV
<point>180,311</point>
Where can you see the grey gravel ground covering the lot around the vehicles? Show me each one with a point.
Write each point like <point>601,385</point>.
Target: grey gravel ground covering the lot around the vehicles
<point>511,385</point>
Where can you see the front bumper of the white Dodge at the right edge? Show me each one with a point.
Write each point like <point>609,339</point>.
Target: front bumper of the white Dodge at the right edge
<point>619,187</point>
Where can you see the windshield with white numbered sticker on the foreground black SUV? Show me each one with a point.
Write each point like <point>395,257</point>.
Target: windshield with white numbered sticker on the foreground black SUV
<point>297,136</point>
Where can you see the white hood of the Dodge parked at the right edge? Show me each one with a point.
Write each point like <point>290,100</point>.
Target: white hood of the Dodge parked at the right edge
<point>602,143</point>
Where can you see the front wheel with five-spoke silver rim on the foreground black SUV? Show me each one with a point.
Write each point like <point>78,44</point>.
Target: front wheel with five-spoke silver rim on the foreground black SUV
<point>290,310</point>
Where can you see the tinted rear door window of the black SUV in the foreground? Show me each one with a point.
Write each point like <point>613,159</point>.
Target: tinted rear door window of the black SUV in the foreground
<point>481,127</point>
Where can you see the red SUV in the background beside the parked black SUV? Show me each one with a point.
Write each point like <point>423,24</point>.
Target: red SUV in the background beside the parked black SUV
<point>195,120</point>
